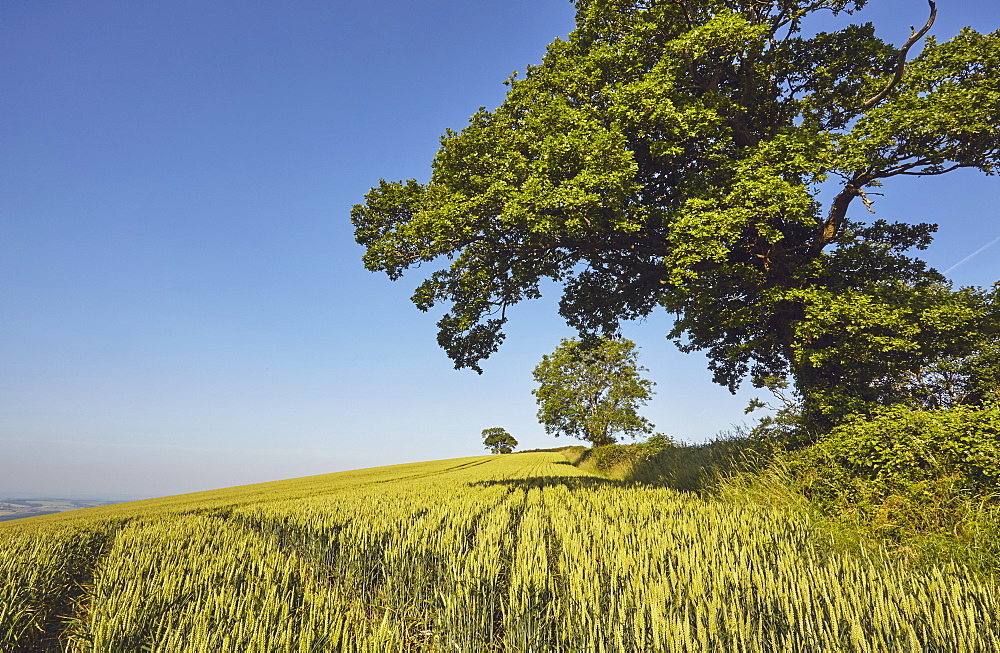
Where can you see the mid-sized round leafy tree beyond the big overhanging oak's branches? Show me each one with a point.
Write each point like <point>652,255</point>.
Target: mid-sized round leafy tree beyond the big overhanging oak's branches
<point>591,391</point>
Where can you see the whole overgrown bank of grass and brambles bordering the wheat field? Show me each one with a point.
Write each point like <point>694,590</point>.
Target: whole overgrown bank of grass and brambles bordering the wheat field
<point>870,487</point>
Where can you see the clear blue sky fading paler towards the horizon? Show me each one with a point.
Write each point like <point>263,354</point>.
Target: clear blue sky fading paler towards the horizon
<point>183,304</point>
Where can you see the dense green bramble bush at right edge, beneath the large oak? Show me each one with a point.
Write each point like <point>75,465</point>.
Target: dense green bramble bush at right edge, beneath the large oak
<point>903,474</point>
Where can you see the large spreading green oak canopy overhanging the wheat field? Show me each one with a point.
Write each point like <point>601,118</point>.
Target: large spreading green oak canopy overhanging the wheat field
<point>676,154</point>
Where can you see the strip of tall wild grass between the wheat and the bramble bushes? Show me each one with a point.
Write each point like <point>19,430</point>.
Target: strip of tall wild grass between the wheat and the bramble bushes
<point>934,521</point>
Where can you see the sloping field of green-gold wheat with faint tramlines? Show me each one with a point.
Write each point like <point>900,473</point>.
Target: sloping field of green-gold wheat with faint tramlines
<point>521,552</point>
